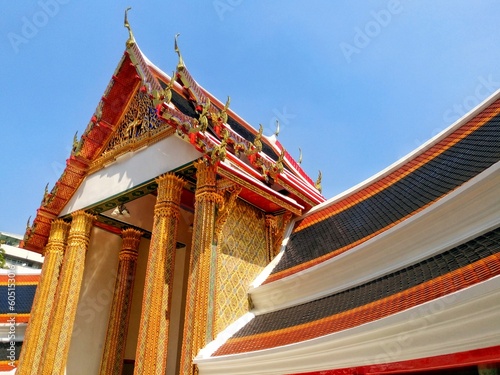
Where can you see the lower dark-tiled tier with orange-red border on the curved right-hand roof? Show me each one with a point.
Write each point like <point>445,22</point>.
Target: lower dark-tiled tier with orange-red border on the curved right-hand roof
<point>453,270</point>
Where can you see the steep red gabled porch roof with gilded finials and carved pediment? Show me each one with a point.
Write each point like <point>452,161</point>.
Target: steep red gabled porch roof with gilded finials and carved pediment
<point>176,106</point>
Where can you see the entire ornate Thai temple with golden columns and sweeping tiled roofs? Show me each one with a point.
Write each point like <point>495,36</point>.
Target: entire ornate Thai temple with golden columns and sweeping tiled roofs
<point>181,240</point>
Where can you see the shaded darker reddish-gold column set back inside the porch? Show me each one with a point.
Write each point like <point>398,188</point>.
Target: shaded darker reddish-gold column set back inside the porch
<point>116,336</point>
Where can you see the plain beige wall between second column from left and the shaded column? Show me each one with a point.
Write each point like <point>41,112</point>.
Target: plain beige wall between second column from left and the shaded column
<point>96,295</point>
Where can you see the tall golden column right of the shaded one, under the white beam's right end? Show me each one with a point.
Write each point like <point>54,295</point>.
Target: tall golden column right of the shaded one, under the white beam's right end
<point>151,354</point>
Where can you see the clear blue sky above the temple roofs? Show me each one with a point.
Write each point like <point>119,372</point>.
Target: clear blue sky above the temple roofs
<point>355,84</point>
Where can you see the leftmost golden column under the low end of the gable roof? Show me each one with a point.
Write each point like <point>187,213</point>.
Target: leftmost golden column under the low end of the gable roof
<point>31,353</point>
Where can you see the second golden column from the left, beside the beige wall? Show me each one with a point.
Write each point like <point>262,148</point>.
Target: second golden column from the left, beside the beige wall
<point>68,291</point>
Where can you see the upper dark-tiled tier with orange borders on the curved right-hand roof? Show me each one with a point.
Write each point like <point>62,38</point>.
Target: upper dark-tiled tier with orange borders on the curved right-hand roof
<point>423,179</point>
